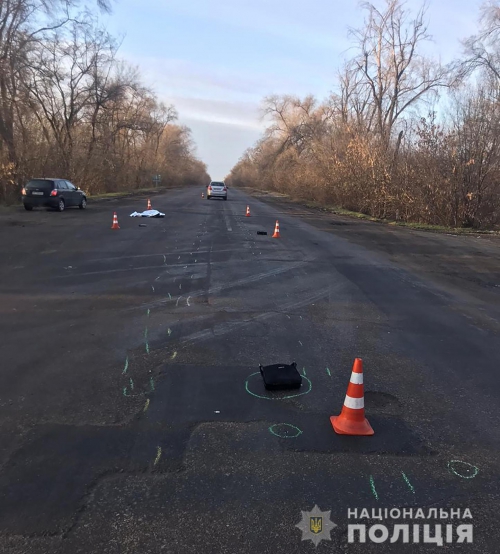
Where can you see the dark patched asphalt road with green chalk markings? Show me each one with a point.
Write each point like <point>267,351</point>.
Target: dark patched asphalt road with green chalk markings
<point>132,418</point>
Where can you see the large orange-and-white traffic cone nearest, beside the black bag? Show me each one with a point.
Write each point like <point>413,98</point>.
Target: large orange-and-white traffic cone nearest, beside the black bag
<point>351,420</point>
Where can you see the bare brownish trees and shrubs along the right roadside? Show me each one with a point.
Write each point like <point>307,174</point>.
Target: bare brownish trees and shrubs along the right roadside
<point>402,137</point>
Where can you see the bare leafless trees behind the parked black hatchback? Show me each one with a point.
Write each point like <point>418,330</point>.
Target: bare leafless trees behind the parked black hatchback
<point>70,108</point>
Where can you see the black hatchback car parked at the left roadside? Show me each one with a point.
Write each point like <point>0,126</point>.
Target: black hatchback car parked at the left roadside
<point>53,193</point>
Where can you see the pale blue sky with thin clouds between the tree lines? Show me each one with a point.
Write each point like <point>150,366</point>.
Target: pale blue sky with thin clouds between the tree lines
<point>216,60</point>
